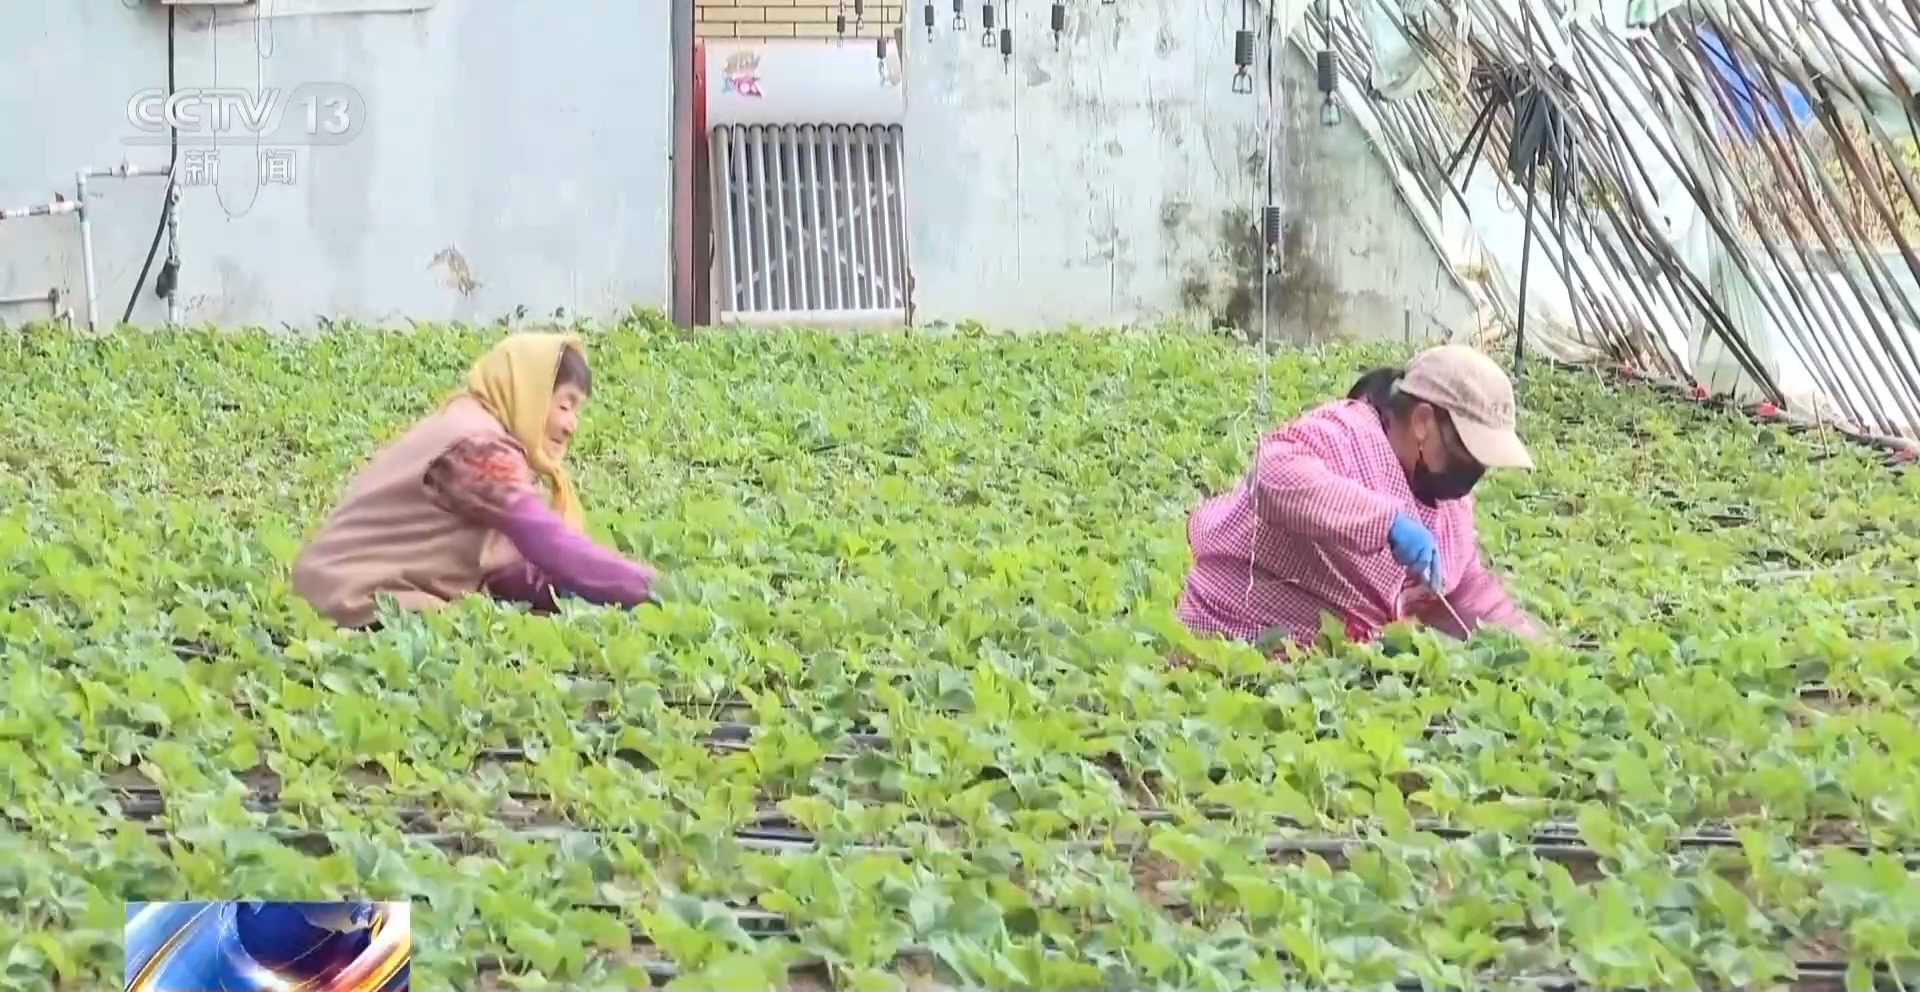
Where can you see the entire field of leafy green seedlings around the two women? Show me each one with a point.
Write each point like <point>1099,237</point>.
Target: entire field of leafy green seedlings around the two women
<point>915,711</point>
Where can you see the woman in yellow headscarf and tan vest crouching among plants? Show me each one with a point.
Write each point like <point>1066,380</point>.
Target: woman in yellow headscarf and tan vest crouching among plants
<point>475,500</point>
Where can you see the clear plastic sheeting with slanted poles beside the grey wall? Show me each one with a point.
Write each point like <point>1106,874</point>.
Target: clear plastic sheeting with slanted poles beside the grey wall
<point>1740,206</point>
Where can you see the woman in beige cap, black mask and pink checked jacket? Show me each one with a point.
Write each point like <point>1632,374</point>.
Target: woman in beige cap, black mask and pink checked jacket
<point>1362,508</point>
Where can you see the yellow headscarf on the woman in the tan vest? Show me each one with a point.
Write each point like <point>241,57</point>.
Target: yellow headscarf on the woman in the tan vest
<point>514,381</point>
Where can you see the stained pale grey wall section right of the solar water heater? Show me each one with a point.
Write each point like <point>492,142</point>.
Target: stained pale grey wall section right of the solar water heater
<point>1120,179</point>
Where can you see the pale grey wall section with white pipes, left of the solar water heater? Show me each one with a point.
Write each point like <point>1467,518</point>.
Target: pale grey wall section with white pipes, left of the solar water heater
<point>525,147</point>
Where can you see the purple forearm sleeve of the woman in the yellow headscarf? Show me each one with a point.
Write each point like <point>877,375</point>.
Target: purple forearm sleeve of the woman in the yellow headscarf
<point>560,559</point>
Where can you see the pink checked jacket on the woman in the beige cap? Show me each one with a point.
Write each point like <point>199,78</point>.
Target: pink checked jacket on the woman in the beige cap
<point>1328,488</point>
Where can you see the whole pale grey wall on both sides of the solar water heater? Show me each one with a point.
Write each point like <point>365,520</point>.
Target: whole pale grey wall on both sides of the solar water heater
<point>527,149</point>
